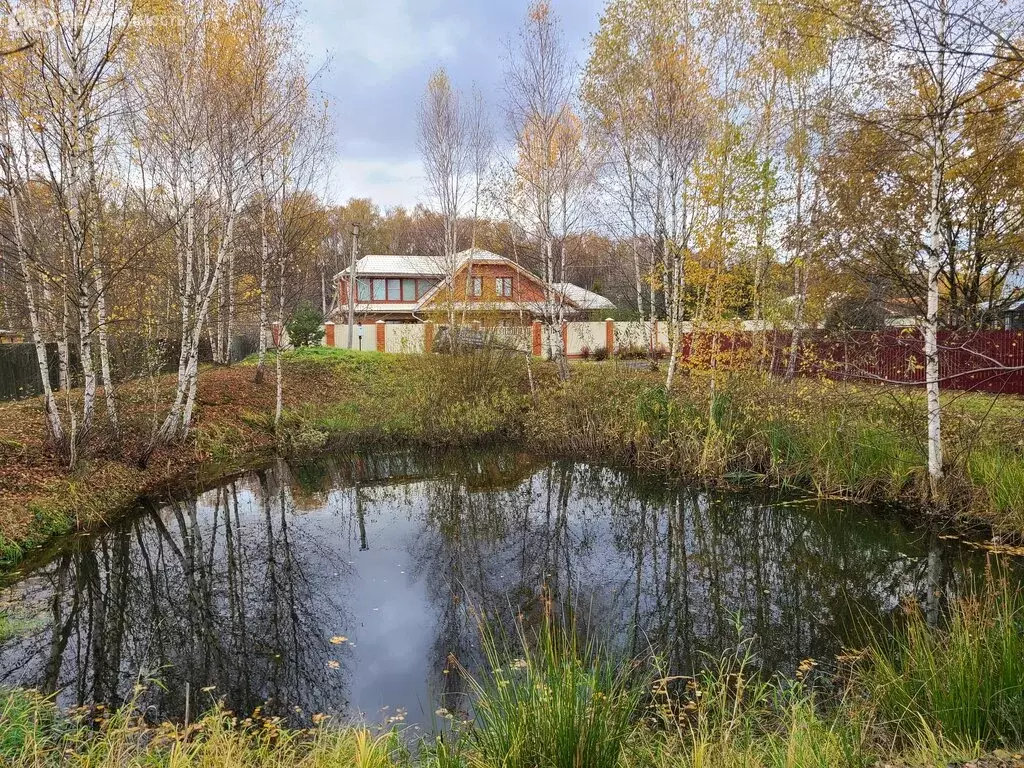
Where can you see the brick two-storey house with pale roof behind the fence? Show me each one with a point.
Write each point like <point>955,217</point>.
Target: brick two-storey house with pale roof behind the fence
<point>481,285</point>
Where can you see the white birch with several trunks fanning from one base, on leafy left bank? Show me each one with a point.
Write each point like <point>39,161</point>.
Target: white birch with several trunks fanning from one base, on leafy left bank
<point>200,140</point>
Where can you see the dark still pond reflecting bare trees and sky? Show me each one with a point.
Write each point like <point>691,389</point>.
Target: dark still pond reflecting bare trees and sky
<point>349,585</point>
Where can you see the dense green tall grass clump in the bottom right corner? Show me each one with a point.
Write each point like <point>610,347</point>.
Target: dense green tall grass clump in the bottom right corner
<point>966,679</point>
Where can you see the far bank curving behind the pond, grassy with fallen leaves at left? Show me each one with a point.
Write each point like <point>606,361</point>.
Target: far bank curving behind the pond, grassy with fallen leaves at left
<point>863,443</point>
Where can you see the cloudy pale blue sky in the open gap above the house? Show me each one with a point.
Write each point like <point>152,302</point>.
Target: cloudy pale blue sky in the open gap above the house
<point>379,55</point>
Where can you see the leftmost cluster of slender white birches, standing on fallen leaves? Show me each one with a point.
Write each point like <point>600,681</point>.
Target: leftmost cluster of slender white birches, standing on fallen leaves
<point>63,100</point>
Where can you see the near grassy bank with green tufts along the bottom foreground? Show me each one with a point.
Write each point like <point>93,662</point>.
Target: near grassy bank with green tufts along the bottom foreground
<point>926,697</point>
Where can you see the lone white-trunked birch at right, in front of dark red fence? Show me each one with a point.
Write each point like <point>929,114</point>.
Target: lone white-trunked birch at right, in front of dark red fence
<point>937,55</point>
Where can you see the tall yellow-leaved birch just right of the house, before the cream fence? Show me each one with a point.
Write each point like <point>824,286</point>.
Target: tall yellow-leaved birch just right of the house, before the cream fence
<point>649,95</point>
